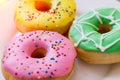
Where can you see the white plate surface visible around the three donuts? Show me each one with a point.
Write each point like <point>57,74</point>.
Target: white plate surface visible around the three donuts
<point>83,71</point>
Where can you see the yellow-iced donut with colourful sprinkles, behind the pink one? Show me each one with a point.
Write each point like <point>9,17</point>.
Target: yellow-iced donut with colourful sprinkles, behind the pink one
<point>52,15</point>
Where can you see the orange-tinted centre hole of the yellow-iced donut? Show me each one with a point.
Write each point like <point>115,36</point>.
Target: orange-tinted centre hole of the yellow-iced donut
<point>42,5</point>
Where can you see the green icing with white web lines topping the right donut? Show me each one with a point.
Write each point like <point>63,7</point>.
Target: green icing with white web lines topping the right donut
<point>85,32</point>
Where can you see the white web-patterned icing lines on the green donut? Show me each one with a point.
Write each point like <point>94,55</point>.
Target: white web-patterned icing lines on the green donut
<point>103,36</point>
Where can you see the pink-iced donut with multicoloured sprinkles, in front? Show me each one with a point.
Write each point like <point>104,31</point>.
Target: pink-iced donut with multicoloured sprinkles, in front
<point>39,55</point>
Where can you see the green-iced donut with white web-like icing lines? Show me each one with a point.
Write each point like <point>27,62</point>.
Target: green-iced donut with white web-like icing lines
<point>96,36</point>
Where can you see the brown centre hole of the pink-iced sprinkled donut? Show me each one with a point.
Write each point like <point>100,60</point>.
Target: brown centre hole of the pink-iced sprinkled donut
<point>39,53</point>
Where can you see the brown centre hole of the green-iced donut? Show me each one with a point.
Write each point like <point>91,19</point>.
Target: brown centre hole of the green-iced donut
<point>104,28</point>
